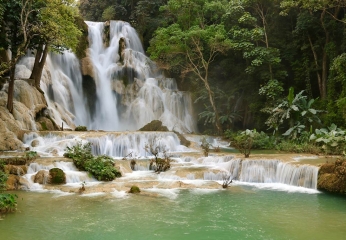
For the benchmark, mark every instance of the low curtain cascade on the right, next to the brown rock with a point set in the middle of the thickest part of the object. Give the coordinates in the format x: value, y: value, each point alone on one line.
x: 274, y: 171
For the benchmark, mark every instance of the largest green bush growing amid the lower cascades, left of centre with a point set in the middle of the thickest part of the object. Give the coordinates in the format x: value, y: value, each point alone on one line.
x: 101, y: 167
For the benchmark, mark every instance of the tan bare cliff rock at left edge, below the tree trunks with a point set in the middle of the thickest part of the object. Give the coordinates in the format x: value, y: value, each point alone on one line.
x: 28, y: 105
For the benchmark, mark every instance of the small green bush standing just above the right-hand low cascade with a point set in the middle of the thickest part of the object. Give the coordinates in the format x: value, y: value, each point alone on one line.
x: 243, y: 142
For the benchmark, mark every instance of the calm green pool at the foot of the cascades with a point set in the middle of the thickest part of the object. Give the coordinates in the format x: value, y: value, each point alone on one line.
x: 241, y: 212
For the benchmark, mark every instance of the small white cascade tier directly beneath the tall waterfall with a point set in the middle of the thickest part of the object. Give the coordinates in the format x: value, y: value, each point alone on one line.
x: 133, y: 144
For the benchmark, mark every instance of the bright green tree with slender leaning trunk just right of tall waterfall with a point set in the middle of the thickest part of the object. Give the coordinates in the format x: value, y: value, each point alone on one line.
x: 192, y: 41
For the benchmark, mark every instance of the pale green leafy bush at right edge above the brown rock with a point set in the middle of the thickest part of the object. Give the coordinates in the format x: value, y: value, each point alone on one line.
x: 332, y: 139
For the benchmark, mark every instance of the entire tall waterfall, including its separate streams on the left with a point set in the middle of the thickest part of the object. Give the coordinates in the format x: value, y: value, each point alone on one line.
x: 127, y: 90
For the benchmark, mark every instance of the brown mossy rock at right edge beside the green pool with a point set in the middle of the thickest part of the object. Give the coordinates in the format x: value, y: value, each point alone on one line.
x: 332, y: 177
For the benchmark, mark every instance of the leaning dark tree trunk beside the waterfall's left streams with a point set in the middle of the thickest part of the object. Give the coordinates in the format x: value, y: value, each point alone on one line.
x: 40, y: 60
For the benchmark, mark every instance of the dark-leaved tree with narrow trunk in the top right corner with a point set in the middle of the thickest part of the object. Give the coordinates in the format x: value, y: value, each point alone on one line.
x: 320, y: 26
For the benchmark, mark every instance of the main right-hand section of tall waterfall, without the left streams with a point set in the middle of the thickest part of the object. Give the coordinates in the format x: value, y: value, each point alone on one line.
x: 130, y: 89
